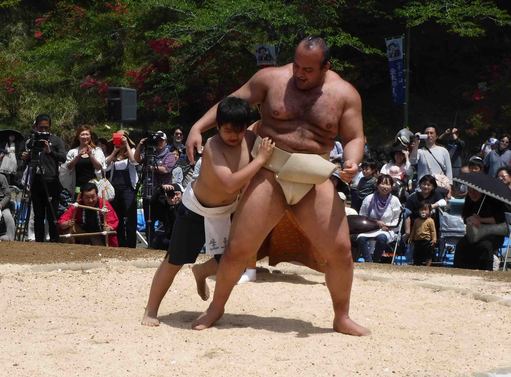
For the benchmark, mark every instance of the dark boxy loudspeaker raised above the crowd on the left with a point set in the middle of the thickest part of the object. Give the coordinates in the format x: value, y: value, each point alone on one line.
x: 122, y: 104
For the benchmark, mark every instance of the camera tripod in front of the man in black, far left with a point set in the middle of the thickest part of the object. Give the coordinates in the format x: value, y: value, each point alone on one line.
x: 22, y: 216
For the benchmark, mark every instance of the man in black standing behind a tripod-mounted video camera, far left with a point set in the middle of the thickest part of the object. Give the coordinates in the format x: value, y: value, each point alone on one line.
x: 44, y: 152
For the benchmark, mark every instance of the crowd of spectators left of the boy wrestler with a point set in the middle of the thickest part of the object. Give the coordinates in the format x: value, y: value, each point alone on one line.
x: 91, y: 192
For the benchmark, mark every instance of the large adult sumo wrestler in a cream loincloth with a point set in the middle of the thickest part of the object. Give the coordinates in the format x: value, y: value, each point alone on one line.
x: 304, y: 106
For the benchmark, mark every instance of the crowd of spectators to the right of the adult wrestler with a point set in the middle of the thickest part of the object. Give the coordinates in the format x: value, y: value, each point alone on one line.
x: 403, y: 193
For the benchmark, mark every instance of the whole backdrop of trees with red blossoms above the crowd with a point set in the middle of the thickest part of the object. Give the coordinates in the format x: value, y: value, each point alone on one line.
x: 182, y: 56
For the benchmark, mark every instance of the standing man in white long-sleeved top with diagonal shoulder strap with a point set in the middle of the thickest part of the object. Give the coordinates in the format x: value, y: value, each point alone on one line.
x: 432, y: 158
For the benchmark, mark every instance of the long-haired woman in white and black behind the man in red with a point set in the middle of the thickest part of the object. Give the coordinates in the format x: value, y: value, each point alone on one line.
x: 84, y: 161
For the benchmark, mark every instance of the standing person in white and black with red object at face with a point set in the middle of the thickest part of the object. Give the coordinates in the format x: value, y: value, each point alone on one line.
x: 121, y: 165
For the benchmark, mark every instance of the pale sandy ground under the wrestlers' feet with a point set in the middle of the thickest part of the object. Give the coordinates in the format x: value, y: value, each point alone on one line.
x: 75, y: 311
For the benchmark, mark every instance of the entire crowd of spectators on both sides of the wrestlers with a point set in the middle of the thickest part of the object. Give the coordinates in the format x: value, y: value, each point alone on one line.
x: 93, y: 192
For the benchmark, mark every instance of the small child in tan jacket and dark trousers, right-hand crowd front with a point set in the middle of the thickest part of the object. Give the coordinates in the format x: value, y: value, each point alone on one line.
x: 423, y: 237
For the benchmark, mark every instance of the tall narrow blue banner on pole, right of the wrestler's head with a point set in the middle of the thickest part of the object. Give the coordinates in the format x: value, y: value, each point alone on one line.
x: 396, y: 68
